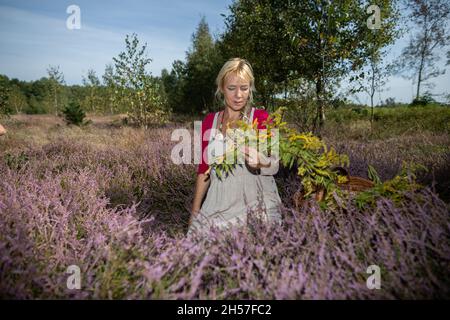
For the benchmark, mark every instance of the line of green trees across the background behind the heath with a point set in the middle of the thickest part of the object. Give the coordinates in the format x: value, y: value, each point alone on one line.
x: 300, y: 52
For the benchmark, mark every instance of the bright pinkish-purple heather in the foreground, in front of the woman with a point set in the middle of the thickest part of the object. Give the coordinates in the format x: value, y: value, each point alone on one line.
x: 313, y: 254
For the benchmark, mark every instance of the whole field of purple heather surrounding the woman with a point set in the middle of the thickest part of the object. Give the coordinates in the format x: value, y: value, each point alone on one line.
x: 117, y: 207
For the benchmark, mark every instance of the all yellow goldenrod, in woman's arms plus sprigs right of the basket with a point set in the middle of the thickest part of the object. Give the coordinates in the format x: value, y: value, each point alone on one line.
x: 314, y: 161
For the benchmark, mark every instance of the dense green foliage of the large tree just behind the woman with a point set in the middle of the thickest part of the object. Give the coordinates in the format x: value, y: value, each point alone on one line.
x: 318, y: 40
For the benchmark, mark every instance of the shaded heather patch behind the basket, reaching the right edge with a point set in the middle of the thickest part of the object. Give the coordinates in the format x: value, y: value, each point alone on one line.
x: 429, y: 150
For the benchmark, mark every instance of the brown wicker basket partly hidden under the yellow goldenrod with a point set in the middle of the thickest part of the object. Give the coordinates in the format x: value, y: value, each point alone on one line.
x: 354, y: 184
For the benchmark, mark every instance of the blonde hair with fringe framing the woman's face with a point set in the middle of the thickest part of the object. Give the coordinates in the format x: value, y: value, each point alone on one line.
x: 244, y: 70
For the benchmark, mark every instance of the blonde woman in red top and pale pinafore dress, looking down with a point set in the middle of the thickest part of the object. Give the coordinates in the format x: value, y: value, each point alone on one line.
x: 250, y: 186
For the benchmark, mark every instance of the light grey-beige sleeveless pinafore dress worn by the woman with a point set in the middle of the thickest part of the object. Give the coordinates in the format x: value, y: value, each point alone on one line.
x: 229, y: 199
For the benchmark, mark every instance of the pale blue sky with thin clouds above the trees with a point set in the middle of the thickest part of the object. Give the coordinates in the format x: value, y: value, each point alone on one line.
x: 33, y: 35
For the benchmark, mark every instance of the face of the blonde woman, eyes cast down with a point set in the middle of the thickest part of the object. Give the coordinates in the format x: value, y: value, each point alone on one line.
x: 236, y: 92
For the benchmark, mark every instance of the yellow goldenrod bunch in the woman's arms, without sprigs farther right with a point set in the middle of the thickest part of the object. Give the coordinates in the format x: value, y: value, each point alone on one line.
x: 310, y: 155
